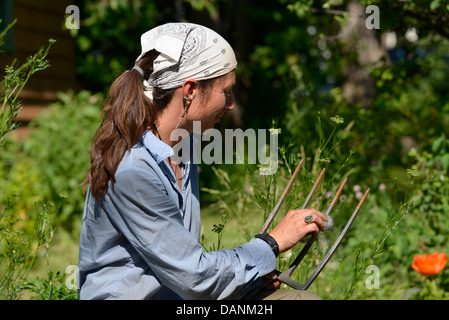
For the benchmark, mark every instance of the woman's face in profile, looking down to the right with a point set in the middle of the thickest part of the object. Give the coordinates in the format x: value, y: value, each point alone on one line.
x: 211, y: 104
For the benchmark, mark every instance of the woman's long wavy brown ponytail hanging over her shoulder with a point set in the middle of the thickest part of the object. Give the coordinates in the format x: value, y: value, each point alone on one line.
x: 128, y: 112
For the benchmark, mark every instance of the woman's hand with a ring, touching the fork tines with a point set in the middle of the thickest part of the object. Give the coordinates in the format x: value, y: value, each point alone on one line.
x: 292, y: 228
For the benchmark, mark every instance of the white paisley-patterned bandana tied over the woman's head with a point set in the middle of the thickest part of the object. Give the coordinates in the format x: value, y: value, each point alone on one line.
x: 187, y: 51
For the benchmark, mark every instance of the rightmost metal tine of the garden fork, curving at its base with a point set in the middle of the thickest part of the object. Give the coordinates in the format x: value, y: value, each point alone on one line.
x: 329, y: 255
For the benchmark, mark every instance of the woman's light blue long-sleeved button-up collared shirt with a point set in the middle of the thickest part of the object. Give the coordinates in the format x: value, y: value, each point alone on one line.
x: 142, y: 240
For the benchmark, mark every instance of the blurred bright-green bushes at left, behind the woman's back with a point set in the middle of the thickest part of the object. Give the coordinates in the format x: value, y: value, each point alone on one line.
x: 40, y: 190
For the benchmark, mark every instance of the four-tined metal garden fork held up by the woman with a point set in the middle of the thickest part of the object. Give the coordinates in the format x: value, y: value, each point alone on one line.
x: 285, y: 276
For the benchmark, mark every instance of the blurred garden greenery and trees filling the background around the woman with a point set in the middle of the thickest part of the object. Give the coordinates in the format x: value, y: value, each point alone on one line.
x: 368, y: 104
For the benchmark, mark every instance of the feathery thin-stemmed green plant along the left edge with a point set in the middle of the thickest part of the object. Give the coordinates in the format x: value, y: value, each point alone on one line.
x: 21, y: 239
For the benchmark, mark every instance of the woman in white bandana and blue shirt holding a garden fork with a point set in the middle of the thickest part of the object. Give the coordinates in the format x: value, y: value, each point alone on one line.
x: 141, y: 224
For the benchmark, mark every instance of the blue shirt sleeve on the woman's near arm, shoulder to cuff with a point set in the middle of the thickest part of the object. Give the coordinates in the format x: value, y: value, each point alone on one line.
x: 142, y: 210
